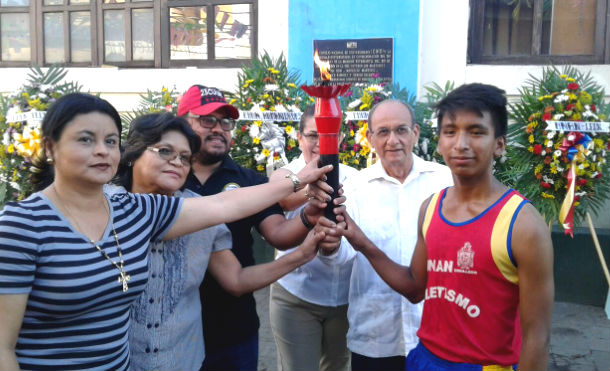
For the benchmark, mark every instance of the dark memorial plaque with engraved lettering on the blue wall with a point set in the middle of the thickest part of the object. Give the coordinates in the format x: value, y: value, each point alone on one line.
x: 356, y: 60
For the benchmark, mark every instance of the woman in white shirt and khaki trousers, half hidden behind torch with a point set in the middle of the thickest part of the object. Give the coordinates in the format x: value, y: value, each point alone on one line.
x: 308, y: 307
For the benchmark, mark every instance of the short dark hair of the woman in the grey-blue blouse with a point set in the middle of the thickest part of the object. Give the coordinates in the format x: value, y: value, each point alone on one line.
x: 146, y: 131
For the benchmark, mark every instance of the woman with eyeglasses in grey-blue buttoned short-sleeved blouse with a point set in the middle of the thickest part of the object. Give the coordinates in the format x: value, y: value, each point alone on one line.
x: 167, y: 333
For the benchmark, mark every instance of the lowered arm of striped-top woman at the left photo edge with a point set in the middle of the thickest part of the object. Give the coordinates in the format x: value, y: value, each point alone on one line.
x: 12, y: 309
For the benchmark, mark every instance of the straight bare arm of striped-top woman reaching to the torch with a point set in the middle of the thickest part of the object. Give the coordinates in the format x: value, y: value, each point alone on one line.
x: 201, y: 212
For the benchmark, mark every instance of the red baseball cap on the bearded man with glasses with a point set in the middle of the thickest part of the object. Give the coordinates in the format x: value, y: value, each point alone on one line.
x: 201, y: 100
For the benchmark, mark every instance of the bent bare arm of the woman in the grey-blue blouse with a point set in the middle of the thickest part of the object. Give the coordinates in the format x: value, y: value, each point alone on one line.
x: 227, y: 270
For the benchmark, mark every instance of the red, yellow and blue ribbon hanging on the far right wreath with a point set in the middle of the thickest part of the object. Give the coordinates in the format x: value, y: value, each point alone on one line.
x: 573, y: 145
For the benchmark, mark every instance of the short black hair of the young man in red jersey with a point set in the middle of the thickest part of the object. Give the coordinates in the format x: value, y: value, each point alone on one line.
x: 477, y: 98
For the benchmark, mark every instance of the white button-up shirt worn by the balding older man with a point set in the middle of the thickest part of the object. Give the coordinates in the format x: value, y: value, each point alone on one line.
x: 382, y: 323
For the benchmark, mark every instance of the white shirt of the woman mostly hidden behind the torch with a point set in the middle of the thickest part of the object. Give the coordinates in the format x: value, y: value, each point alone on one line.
x: 316, y: 282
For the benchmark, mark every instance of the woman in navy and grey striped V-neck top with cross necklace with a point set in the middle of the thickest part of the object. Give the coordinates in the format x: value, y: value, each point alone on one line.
x: 74, y: 259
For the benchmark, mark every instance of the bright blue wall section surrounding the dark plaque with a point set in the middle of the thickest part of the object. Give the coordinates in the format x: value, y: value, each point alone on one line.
x: 346, y: 19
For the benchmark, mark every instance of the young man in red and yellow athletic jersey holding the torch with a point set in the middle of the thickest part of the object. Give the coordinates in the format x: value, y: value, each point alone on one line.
x: 483, y: 259
